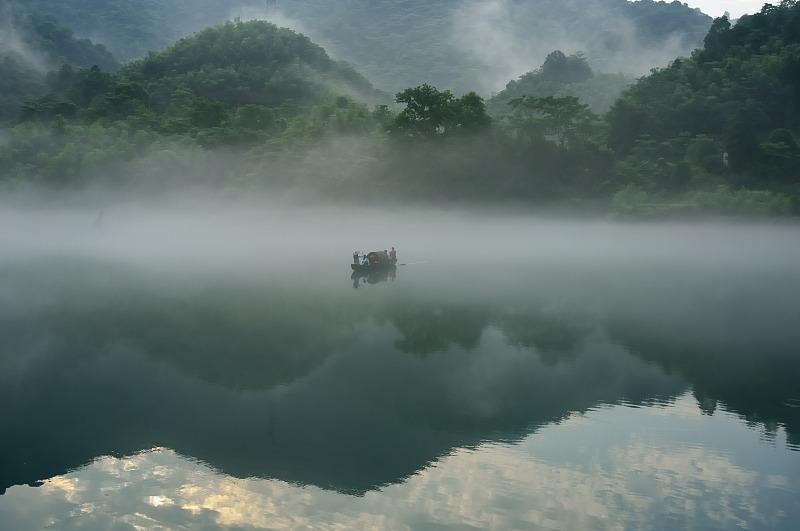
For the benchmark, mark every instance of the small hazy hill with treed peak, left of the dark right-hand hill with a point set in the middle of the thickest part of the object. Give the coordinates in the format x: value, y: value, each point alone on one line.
x: 562, y: 75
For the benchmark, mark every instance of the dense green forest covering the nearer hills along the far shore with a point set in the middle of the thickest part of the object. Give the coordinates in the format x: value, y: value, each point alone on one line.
x: 247, y: 104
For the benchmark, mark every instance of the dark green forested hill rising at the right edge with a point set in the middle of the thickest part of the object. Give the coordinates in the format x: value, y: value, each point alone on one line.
x: 739, y: 95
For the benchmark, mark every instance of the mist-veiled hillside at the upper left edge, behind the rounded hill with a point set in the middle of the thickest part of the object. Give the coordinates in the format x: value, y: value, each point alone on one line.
x: 30, y: 46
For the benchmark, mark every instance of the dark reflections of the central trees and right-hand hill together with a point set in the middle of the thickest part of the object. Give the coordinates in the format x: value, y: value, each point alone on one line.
x: 746, y: 363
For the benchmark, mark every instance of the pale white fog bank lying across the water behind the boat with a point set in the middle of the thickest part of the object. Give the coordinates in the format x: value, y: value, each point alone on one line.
x: 200, y: 232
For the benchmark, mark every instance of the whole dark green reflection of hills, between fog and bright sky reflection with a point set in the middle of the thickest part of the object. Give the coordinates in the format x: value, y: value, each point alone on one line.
x: 346, y: 390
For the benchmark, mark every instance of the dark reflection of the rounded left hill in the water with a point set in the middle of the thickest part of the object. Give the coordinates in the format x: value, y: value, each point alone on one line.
x: 237, y: 335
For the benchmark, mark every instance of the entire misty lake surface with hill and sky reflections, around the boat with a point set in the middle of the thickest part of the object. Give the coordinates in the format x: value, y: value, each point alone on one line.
x: 198, y: 368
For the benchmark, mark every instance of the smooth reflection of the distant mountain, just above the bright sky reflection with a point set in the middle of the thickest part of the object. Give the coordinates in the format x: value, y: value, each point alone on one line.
x: 353, y: 424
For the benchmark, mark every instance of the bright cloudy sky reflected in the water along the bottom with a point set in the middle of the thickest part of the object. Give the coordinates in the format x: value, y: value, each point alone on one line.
x: 615, y: 467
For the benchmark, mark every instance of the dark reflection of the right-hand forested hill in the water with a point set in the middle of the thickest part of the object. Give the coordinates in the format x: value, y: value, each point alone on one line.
x: 738, y: 353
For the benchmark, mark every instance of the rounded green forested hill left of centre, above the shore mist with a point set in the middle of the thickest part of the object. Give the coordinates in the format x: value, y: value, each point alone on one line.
x: 237, y: 83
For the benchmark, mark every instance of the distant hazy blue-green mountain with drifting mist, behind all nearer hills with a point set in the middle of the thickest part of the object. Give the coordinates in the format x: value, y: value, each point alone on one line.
x: 459, y: 44
